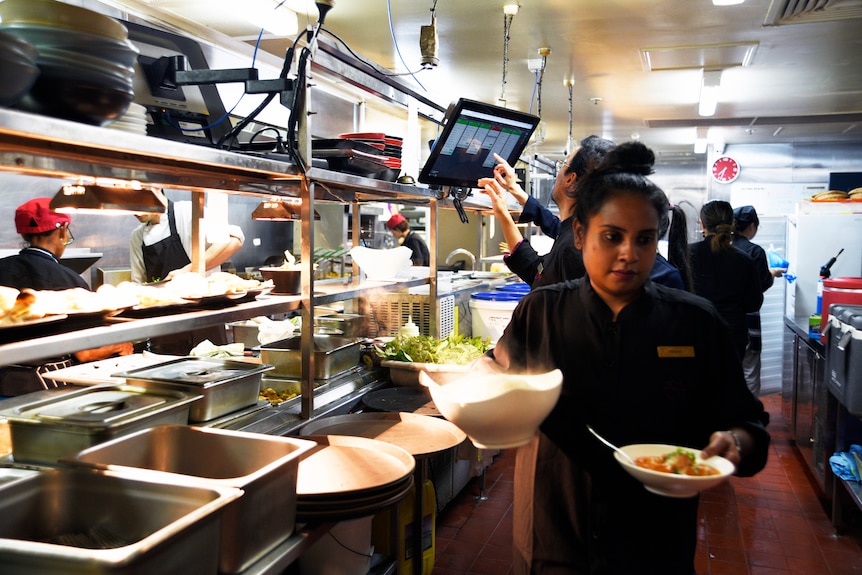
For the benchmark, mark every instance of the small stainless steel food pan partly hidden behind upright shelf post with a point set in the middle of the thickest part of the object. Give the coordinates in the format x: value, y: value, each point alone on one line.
x: 332, y: 356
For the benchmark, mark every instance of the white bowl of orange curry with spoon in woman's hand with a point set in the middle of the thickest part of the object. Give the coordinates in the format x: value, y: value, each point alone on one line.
x: 674, y: 471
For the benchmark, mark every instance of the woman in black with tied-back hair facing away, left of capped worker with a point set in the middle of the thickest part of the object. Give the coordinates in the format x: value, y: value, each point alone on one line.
x: 723, y: 274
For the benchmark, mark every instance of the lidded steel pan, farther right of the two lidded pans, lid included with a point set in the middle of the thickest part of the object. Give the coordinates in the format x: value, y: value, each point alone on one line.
x: 225, y: 385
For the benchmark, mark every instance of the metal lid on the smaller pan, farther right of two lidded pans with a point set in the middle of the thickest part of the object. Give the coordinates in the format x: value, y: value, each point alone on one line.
x: 198, y: 371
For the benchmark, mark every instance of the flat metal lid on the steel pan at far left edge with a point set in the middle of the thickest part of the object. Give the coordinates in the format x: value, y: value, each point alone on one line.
x: 99, y: 406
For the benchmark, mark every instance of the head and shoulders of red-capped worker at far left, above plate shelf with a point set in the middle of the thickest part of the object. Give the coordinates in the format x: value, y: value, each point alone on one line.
x: 46, y: 234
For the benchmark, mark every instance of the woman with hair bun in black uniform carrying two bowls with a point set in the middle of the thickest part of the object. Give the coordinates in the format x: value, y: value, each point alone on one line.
x: 641, y: 363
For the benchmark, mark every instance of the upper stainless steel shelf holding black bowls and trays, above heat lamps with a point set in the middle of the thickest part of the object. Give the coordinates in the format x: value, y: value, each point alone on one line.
x: 44, y: 146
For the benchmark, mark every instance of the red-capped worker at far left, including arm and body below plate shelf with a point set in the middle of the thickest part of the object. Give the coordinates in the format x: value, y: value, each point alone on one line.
x: 38, y: 267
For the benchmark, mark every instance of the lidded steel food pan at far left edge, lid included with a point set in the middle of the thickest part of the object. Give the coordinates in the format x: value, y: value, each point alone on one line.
x: 57, y: 424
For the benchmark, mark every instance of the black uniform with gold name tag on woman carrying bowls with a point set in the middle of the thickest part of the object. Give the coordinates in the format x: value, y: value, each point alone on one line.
x: 664, y: 372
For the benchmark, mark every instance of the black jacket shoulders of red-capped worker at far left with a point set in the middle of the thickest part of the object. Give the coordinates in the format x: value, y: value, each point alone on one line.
x: 38, y: 269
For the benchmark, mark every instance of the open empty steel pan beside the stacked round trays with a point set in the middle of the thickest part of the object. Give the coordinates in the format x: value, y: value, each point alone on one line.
x: 263, y: 466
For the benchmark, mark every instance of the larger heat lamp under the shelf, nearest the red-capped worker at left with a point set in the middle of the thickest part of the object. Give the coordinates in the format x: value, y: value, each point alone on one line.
x: 107, y: 197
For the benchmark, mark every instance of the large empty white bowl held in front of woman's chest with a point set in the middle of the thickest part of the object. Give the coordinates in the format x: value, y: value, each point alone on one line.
x: 496, y: 411
